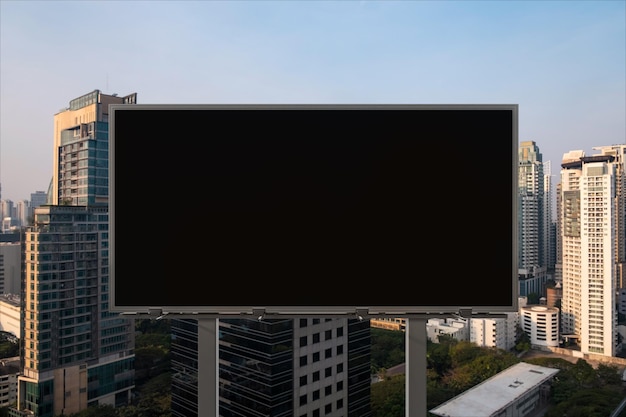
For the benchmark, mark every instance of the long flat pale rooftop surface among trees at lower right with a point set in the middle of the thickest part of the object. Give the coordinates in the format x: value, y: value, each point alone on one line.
x: 496, y: 393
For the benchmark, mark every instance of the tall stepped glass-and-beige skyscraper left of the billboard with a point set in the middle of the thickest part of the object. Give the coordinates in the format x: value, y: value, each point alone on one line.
x: 75, y: 352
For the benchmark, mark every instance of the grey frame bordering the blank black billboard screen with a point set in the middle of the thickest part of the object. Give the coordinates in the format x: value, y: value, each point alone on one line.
x: 269, y: 311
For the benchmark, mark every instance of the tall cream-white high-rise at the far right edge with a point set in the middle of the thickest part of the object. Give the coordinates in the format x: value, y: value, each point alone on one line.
x: 592, y: 246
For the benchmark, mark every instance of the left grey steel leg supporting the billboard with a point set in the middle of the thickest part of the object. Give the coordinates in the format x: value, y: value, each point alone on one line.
x: 208, y: 401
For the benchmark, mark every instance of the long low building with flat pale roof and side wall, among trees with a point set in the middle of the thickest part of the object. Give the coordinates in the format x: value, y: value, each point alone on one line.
x: 518, y: 391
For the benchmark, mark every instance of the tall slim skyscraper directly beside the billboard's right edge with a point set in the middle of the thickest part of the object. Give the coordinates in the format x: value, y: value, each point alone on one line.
x: 533, y: 231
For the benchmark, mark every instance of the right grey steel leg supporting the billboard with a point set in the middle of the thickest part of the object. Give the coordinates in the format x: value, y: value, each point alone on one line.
x: 415, y: 353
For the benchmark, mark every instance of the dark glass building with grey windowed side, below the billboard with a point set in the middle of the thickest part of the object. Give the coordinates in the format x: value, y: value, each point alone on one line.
x: 278, y: 367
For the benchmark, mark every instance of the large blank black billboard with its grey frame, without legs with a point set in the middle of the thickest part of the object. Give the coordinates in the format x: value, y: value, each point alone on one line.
x: 313, y: 209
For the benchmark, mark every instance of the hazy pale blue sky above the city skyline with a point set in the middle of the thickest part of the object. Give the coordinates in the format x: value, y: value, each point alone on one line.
x: 562, y: 62
